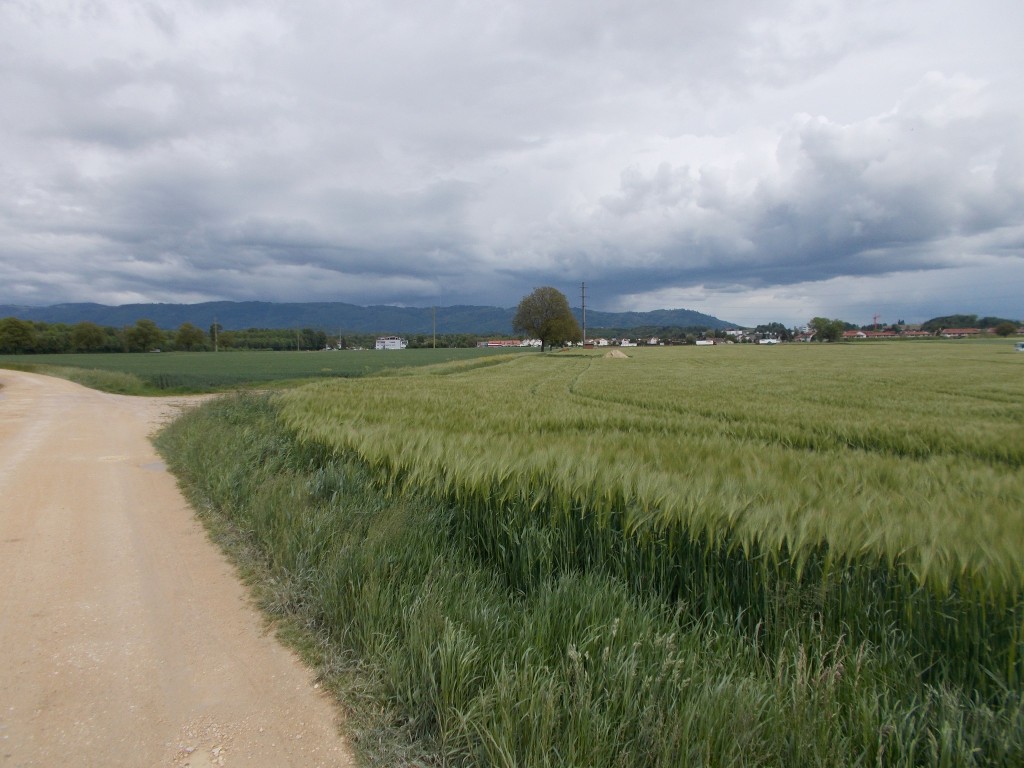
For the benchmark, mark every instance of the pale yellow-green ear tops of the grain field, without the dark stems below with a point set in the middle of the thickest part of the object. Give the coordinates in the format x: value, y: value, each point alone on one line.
x: 913, y: 456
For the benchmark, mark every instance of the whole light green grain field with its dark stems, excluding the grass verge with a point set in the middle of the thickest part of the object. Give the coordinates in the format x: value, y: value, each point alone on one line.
x: 885, y: 478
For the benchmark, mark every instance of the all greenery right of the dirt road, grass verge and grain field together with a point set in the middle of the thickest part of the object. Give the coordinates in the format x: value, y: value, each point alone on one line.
x: 738, y: 557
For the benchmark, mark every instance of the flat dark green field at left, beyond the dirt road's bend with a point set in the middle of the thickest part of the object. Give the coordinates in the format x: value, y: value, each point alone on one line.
x: 185, y: 372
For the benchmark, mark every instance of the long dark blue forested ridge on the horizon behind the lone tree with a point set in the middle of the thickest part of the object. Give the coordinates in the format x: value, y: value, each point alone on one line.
x: 337, y: 317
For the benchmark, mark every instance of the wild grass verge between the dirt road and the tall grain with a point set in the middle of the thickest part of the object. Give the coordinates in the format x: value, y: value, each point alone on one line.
x: 439, y: 662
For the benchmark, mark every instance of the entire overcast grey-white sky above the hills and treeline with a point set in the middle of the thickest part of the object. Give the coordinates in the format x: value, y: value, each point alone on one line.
x: 756, y: 160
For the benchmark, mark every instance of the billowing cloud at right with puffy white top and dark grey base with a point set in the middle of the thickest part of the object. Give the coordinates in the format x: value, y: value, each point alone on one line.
x: 903, y: 192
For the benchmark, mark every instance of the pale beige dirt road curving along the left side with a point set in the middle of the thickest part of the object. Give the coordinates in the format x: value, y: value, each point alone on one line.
x: 125, y: 636
